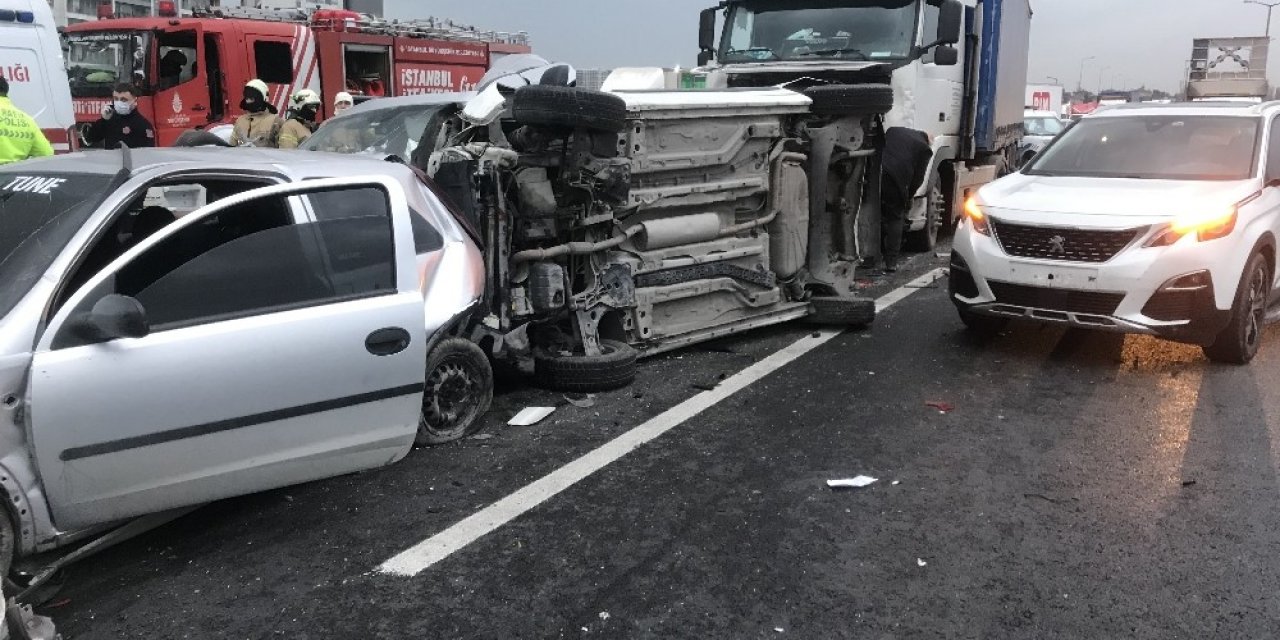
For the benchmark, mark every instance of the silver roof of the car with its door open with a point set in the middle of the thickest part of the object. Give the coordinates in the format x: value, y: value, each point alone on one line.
x: 179, y: 159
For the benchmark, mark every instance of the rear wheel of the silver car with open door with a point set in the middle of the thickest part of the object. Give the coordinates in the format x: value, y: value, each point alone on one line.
x: 459, y: 392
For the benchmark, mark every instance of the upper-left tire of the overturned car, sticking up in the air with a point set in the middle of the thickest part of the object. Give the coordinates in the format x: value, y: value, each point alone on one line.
x: 570, y: 108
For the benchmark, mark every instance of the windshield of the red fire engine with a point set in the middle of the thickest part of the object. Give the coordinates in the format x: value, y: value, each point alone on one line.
x: 99, y: 61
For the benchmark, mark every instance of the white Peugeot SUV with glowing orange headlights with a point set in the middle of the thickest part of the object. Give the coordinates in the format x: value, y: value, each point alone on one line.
x: 1141, y: 220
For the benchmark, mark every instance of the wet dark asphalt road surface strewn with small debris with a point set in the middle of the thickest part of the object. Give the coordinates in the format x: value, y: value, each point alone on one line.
x: 1084, y: 486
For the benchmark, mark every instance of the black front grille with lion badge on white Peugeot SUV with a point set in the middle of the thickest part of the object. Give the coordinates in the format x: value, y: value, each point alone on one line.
x: 1062, y: 244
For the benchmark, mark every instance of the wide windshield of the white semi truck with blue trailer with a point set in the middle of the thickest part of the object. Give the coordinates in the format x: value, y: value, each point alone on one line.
x: 816, y: 30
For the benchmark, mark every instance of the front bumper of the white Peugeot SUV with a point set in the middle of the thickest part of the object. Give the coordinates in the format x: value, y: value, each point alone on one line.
x: 1131, y: 294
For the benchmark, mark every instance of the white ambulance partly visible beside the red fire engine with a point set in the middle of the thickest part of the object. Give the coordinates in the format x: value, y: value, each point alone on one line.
x: 31, y: 60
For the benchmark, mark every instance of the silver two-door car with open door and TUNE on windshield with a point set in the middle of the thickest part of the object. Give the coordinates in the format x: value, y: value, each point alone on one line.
x: 303, y: 324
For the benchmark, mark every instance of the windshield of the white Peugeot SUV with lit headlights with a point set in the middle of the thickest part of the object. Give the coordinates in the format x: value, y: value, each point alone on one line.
x: 1181, y: 148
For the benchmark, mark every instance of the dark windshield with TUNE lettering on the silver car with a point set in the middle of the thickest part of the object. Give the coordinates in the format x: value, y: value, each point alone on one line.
x: 40, y: 213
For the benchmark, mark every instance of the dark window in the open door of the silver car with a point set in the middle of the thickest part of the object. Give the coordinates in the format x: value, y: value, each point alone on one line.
x: 253, y: 259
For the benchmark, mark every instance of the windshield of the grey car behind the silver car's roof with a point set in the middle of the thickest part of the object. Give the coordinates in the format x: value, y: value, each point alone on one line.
x: 380, y: 131
